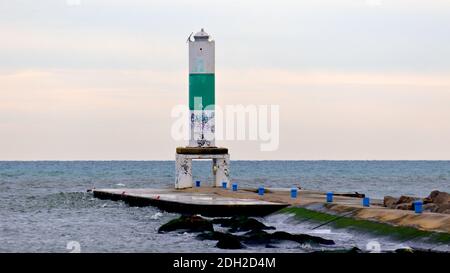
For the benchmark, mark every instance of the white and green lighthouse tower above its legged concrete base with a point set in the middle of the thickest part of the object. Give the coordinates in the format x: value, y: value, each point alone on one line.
x: 201, y: 90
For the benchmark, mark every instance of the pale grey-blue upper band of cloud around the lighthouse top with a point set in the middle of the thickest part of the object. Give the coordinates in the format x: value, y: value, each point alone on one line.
x: 400, y: 36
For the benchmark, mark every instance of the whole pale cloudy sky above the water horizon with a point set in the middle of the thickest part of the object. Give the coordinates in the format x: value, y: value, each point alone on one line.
x: 97, y: 80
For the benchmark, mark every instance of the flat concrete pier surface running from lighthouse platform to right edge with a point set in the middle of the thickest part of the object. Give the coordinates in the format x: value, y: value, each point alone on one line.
x: 214, y: 201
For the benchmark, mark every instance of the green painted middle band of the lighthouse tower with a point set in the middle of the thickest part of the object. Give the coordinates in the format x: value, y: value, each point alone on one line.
x: 201, y: 86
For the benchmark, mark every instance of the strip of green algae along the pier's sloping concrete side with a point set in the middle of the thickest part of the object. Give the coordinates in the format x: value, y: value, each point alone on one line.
x: 402, y: 233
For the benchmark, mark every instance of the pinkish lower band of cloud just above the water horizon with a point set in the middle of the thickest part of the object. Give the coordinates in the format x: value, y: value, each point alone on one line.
x: 122, y: 114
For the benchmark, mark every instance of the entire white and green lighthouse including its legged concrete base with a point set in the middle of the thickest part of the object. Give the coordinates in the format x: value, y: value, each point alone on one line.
x: 201, y: 117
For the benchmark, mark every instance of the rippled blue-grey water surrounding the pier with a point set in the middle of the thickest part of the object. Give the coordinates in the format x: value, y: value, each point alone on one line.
x: 44, y: 205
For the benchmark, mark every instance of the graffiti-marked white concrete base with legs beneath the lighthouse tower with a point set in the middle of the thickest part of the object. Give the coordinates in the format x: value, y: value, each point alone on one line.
x: 183, y: 165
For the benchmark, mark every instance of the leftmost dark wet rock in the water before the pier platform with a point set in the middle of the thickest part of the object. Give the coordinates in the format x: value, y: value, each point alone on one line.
x: 188, y: 223
